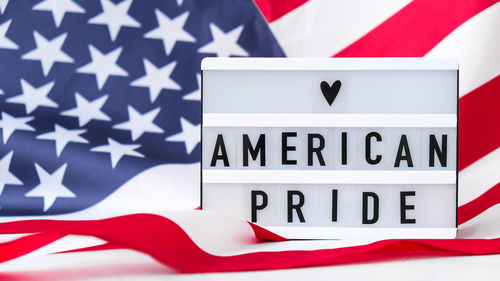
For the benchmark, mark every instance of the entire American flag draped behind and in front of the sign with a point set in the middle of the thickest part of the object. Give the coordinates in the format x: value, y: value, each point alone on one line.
x: 100, y: 117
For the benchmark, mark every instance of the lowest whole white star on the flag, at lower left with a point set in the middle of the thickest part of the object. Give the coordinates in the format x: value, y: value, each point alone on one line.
x: 50, y: 187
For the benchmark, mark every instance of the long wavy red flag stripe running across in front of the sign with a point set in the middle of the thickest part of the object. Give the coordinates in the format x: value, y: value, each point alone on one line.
x: 165, y: 241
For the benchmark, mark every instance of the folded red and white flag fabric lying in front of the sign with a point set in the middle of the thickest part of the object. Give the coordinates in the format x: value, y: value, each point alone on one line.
x: 171, y: 239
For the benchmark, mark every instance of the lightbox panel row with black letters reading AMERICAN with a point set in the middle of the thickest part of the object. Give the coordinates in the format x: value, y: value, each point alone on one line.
x: 341, y: 148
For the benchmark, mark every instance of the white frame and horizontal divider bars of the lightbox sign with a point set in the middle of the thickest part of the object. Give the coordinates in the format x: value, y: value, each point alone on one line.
x: 340, y: 120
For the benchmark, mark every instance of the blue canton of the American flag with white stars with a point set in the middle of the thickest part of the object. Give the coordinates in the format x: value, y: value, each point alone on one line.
x: 90, y: 100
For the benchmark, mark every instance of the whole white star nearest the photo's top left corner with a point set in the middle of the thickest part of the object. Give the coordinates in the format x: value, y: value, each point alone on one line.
x: 48, y: 52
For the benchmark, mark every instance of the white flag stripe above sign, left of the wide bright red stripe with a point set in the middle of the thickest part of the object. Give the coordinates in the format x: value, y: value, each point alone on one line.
x: 321, y: 28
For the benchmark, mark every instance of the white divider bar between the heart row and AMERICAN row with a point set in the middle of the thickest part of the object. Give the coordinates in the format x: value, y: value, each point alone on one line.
x: 330, y: 120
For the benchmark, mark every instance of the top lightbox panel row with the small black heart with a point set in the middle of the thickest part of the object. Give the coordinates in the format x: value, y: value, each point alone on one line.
x: 388, y: 91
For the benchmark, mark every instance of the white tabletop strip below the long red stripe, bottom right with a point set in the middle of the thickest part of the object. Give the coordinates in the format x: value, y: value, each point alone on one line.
x: 454, y: 268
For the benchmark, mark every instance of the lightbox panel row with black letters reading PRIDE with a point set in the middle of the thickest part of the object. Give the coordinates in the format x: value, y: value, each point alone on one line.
x: 336, y: 205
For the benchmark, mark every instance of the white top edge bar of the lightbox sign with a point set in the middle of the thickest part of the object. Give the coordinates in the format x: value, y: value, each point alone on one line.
x: 328, y: 64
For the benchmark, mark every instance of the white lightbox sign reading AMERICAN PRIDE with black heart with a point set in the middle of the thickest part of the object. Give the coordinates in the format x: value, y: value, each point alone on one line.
x: 332, y: 148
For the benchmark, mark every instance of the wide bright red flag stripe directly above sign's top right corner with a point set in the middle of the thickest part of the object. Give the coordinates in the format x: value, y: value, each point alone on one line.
x: 415, y: 29
